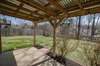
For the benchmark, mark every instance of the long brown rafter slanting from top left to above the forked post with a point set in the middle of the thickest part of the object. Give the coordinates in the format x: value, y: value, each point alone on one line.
x: 38, y: 6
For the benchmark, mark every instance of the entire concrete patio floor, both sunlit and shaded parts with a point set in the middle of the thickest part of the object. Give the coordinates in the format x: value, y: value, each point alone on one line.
x: 31, y: 57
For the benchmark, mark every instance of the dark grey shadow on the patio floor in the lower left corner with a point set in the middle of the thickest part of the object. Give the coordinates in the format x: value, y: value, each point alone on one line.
x: 7, y: 59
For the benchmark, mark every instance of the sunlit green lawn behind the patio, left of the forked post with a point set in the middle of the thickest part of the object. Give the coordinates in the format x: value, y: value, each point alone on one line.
x: 10, y: 43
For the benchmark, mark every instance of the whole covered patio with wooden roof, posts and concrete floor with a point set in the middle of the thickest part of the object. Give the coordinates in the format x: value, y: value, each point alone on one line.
x: 38, y: 11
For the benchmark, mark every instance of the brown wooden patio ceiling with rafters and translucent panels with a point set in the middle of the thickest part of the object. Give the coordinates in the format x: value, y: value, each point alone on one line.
x: 38, y: 10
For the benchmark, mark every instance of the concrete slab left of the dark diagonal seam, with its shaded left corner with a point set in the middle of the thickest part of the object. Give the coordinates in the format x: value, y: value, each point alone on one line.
x: 23, y: 57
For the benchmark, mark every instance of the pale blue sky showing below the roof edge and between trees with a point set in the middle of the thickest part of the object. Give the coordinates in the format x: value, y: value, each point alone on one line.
x: 18, y: 21
